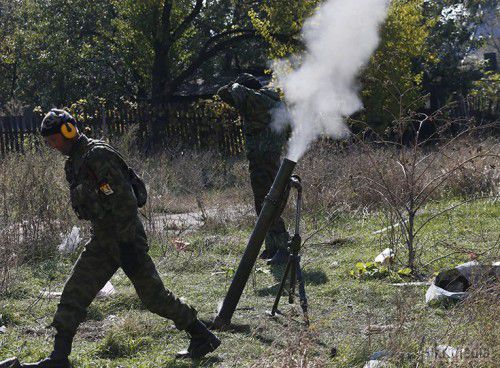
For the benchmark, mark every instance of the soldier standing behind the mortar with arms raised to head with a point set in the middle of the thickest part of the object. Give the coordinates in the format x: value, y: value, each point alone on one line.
x: 264, y: 146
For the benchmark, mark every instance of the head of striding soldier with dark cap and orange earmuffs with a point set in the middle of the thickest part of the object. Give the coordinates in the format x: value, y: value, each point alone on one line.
x: 59, y: 130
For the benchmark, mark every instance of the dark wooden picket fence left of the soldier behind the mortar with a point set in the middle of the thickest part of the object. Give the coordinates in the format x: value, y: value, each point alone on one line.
x: 172, y: 127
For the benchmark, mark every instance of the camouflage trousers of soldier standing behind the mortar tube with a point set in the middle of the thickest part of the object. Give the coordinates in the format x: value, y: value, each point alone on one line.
x: 263, y: 169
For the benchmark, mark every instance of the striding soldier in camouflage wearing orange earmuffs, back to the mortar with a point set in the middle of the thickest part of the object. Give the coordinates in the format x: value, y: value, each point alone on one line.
x: 104, y: 191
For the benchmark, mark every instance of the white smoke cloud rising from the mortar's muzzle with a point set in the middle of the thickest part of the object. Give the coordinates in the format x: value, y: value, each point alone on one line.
x: 340, y: 39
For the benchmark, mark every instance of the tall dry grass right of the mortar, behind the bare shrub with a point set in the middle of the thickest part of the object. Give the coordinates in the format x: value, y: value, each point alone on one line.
x: 337, y: 175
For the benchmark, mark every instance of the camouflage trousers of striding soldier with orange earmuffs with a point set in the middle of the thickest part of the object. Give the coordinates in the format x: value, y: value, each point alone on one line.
x: 102, y: 257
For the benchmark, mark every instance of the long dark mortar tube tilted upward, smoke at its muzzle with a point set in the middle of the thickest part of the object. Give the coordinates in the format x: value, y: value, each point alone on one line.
x: 271, y: 205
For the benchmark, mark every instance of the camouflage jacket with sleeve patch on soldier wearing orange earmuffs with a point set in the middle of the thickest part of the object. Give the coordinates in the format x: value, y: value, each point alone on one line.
x: 100, y: 189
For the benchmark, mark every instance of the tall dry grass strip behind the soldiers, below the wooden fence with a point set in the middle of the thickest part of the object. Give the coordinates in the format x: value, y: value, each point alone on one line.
x: 35, y: 210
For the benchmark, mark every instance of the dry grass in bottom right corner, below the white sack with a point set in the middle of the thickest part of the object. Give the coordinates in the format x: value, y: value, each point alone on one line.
x: 471, y: 333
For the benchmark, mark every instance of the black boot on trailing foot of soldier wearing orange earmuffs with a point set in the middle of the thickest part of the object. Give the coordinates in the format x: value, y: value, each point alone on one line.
x: 203, y: 341
